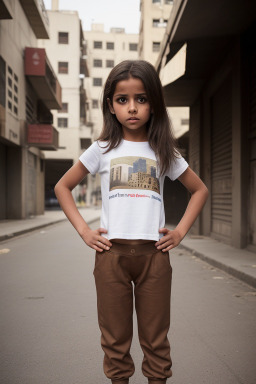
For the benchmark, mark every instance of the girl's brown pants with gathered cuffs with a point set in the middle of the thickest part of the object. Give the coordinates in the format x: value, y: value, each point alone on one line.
x: 150, y: 271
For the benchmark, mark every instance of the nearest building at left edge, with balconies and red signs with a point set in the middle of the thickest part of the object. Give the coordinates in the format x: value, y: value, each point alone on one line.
x: 29, y: 89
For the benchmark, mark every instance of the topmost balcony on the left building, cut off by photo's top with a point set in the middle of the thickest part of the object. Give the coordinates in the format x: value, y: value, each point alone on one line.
x: 37, y: 17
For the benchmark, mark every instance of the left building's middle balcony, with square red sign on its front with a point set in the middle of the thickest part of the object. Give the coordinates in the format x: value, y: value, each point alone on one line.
x: 42, y: 77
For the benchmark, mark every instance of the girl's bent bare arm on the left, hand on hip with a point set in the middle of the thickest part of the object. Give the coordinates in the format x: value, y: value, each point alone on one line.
x: 63, y: 193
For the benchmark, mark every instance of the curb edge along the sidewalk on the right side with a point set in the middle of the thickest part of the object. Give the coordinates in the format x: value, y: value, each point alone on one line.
x: 250, y: 280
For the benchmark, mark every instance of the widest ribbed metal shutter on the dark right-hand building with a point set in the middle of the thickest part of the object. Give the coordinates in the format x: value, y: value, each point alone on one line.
x: 221, y: 162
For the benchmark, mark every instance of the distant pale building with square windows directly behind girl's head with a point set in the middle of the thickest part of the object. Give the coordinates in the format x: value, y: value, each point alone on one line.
x: 104, y: 51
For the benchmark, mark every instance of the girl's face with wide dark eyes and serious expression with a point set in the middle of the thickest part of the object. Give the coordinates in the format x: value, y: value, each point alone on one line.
x: 131, y: 107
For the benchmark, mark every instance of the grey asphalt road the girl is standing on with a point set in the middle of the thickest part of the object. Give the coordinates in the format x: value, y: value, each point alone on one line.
x: 48, y: 318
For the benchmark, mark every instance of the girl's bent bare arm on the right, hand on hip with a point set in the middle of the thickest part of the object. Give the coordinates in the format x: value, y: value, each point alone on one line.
x: 199, y: 194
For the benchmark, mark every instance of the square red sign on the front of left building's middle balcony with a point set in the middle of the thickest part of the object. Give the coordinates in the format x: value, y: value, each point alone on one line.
x: 35, y: 61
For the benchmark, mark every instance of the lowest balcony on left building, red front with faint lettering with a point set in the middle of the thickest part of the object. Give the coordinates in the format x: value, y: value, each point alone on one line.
x: 43, y: 136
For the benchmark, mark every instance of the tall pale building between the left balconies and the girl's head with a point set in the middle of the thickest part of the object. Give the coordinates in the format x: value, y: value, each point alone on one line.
x: 67, y: 52
